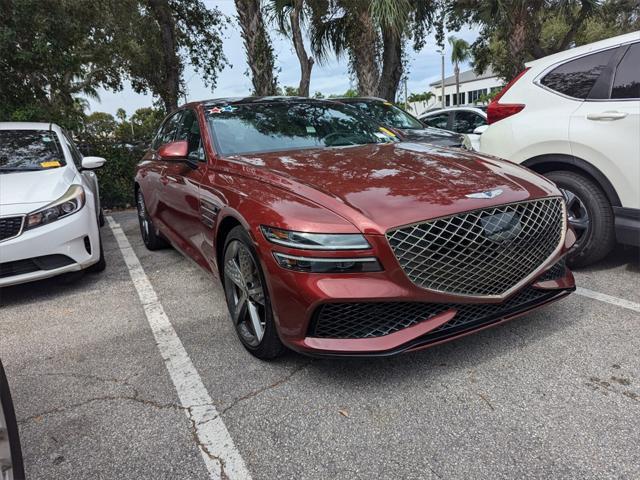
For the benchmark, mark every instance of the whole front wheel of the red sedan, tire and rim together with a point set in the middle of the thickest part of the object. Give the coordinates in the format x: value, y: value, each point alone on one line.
x: 248, y: 298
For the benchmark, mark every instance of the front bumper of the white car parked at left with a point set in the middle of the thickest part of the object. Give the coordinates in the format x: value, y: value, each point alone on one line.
x: 75, y: 242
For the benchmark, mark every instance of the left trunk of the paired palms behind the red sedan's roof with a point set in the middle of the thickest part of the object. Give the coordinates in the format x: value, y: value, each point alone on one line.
x: 363, y: 55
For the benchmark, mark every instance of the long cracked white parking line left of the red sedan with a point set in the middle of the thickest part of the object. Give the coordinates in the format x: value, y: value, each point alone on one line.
x: 220, y: 455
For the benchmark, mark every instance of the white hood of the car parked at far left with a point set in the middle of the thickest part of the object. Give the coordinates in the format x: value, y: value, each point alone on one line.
x: 41, y: 186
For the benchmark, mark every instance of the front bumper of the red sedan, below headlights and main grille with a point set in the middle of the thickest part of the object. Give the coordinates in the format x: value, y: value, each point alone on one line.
x: 429, y: 317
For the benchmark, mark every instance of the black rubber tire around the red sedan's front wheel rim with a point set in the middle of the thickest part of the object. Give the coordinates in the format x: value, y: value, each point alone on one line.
x: 269, y: 346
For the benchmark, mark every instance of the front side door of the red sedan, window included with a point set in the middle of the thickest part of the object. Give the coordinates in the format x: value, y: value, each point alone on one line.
x: 181, y: 190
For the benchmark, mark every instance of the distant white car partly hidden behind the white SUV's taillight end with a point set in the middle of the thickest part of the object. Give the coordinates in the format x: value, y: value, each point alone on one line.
x: 469, y: 121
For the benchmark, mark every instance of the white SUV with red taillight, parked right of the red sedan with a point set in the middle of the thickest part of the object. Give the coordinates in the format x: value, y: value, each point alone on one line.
x: 575, y: 117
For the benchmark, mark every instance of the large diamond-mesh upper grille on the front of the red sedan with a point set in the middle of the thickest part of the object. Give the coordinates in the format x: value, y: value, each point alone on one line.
x: 485, y: 252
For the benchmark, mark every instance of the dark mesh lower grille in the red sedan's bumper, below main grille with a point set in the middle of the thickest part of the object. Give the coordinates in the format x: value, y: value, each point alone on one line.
x: 374, y: 319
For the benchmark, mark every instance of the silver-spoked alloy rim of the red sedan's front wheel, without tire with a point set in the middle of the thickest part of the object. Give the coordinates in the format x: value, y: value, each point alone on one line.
x: 245, y: 293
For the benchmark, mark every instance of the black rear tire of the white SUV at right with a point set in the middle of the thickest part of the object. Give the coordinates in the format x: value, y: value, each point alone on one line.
x: 597, y: 239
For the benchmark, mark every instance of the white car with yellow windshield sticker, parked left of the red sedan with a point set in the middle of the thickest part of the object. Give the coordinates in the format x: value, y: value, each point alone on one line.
x: 49, y: 204
